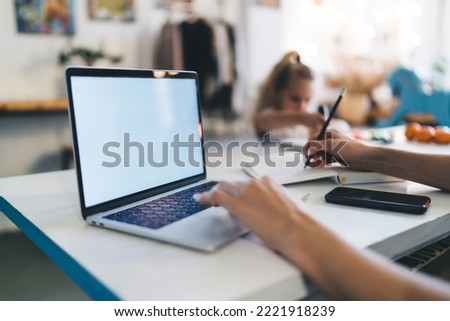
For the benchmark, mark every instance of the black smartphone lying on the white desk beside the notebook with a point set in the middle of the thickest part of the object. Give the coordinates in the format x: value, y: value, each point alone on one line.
x: 388, y: 201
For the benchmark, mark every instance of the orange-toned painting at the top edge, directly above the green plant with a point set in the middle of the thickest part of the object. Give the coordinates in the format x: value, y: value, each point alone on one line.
x: 111, y: 10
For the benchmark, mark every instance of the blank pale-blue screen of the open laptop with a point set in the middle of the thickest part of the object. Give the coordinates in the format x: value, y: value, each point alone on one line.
x: 126, y: 129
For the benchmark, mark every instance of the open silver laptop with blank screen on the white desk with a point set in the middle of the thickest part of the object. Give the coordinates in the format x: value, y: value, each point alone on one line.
x: 139, y: 156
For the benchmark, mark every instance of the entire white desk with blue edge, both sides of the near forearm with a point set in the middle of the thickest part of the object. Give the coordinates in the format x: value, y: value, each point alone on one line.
x: 111, y: 265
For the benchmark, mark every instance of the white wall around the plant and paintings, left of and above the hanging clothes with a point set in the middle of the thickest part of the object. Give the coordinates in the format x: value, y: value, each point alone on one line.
x: 28, y: 62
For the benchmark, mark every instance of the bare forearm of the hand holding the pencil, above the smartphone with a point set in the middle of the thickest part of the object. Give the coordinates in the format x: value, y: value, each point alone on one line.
x: 433, y: 170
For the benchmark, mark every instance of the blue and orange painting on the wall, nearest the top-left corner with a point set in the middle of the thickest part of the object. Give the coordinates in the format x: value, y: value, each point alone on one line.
x: 45, y: 16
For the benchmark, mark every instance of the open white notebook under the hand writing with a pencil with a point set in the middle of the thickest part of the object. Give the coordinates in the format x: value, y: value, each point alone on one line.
x: 288, y: 168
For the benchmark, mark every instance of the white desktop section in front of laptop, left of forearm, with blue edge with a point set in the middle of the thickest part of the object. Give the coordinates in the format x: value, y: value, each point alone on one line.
x: 110, y: 265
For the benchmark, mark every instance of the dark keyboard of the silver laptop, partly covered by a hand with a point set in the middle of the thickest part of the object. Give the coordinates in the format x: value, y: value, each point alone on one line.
x: 165, y: 210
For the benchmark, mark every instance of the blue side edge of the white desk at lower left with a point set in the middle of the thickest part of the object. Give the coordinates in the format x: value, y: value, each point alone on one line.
x: 85, y: 280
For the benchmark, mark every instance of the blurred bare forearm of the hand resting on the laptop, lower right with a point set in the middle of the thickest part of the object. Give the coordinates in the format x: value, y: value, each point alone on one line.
x: 344, y: 272
